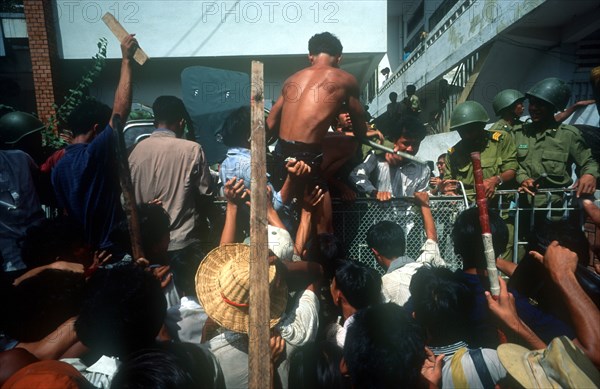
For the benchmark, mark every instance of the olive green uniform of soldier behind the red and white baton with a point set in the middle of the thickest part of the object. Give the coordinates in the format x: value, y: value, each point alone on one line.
x: 498, y: 156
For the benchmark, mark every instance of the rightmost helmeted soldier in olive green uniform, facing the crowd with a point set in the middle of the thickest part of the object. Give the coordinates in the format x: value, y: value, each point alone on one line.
x: 546, y: 149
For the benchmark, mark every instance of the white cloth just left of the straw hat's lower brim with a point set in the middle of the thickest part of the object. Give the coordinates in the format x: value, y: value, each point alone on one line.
x: 186, y: 321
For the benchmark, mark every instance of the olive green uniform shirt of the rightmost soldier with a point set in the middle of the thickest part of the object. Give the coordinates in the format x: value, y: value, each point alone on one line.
x: 552, y: 151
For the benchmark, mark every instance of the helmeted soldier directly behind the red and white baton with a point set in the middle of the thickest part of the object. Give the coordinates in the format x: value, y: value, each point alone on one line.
x: 498, y: 153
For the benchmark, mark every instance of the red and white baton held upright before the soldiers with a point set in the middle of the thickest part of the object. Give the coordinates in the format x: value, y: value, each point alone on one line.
x: 484, y: 220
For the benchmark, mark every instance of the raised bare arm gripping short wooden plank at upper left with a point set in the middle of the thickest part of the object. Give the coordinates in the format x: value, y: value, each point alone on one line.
x: 122, y: 103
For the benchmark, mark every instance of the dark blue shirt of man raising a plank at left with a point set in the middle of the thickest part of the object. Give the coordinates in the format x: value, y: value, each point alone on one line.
x: 86, y: 184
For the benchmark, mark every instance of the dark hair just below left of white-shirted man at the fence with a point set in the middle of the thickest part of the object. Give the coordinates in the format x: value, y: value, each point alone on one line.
x: 360, y: 284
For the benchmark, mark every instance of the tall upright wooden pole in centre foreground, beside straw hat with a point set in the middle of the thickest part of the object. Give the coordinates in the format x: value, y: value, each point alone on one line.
x: 259, y: 357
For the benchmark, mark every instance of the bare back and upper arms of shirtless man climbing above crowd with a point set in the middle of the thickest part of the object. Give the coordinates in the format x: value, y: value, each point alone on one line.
x: 311, y: 98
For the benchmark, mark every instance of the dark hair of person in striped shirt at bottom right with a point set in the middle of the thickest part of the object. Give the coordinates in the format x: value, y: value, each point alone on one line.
x: 442, y: 304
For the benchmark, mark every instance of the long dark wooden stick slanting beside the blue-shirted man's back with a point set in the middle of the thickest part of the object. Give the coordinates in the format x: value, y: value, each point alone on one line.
x: 129, y: 203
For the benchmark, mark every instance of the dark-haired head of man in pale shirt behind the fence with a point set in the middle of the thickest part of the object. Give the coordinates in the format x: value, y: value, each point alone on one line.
x: 407, y: 136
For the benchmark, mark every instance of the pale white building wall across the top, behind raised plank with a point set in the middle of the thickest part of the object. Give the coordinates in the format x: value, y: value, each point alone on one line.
x: 222, y: 28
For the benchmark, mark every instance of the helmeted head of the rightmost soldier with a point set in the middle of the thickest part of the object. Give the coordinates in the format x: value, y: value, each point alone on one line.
x: 547, y: 97
